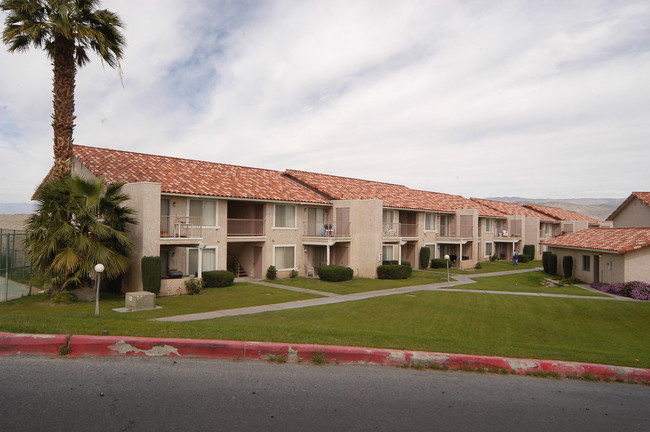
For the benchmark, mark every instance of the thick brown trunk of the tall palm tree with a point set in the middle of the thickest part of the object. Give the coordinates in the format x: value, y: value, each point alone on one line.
x: 63, y: 100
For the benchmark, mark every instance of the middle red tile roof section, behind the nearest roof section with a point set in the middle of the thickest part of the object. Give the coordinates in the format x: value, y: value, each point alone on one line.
x: 392, y: 195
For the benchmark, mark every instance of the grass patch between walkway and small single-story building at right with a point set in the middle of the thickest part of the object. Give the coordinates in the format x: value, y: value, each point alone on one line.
x: 527, y: 282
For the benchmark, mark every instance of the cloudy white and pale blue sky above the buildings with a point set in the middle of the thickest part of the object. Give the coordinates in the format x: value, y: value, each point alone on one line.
x: 541, y: 99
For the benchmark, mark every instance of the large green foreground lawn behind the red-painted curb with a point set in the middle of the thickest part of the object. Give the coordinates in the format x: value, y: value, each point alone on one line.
x: 586, y: 330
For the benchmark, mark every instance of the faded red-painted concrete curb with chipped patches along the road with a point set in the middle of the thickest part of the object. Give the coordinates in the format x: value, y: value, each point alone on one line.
x: 272, y: 351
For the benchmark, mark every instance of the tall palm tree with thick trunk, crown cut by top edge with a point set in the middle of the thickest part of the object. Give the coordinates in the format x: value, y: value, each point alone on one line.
x: 66, y: 30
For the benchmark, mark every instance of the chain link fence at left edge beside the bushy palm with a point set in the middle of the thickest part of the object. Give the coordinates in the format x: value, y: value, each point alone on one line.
x: 15, y: 268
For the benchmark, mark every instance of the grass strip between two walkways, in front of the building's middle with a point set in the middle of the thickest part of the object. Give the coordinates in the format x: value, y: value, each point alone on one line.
x: 362, y: 284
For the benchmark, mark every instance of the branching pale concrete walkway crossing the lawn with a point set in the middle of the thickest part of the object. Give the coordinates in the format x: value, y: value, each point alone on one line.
x: 329, y: 298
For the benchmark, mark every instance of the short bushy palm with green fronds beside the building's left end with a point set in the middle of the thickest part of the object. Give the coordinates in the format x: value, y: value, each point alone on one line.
x: 79, y: 223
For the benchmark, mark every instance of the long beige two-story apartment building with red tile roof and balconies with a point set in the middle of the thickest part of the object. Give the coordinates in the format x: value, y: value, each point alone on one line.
x: 199, y: 216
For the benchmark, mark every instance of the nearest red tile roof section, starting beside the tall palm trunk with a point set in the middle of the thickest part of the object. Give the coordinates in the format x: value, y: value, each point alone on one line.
x: 184, y: 176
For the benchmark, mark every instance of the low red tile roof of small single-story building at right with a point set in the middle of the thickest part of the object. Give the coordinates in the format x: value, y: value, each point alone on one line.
x: 619, y: 240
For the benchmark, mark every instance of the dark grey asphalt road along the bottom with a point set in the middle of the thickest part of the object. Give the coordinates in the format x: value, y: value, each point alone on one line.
x: 165, y: 394
